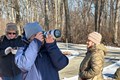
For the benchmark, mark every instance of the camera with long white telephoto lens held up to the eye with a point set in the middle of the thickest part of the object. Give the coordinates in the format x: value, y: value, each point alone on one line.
x: 56, y: 33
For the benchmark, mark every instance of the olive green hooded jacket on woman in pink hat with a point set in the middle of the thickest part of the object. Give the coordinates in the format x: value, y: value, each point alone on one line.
x: 92, y: 65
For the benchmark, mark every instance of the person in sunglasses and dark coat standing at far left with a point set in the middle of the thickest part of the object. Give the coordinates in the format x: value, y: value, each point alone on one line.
x: 8, y: 47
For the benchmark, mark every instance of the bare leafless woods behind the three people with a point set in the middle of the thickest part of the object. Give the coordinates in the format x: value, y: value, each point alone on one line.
x: 75, y: 18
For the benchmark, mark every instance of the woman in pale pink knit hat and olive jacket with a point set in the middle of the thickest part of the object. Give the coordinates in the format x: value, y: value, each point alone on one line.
x: 92, y: 65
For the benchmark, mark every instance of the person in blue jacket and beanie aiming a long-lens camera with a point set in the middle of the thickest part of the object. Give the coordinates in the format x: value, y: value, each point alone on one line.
x: 40, y: 59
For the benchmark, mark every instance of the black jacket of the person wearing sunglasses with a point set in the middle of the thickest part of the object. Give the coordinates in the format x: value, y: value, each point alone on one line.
x: 7, y: 62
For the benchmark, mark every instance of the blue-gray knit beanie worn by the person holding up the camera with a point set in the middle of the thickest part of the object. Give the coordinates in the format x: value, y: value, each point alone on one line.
x: 31, y: 29
